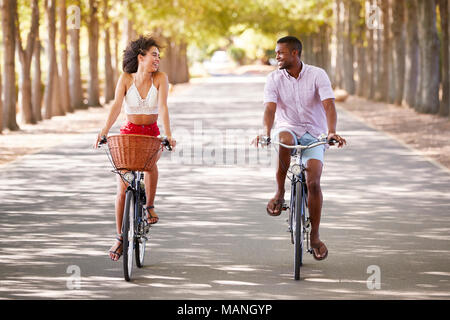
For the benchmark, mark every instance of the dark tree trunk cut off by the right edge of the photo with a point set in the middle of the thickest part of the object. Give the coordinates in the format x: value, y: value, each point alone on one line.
x: 444, y: 109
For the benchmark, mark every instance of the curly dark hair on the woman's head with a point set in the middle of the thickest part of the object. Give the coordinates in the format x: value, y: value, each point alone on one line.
x: 140, y: 46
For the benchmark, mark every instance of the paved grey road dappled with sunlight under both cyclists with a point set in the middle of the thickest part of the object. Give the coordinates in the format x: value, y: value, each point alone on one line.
x: 385, y: 206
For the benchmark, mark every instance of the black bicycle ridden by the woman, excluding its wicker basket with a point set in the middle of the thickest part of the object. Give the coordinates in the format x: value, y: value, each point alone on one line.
x: 135, y: 228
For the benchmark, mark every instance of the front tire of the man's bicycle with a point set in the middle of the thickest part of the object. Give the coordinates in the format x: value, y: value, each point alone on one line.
x: 298, y: 230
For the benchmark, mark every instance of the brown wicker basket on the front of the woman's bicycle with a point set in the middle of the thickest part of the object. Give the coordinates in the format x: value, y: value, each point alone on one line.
x: 134, y: 152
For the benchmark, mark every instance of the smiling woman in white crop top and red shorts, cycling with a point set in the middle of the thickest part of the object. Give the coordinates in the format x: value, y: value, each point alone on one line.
x: 142, y: 90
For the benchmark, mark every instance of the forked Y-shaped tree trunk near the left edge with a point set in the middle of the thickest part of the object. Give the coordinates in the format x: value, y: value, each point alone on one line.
x: 25, y: 56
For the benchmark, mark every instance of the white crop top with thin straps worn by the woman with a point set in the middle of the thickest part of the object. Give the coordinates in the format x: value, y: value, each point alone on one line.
x: 134, y: 104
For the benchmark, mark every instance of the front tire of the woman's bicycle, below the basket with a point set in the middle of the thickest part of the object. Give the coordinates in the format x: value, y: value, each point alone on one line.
x: 128, y: 235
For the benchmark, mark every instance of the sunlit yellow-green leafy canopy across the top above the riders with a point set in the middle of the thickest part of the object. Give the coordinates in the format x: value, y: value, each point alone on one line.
x: 208, y: 24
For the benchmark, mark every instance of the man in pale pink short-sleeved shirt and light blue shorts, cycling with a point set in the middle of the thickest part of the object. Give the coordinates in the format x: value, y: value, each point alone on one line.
x: 301, y: 99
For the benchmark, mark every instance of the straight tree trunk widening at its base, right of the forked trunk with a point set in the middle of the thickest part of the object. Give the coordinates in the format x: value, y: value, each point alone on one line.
x: 51, y: 101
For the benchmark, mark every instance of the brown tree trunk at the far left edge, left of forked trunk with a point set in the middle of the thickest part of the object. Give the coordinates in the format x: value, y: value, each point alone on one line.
x: 9, y: 11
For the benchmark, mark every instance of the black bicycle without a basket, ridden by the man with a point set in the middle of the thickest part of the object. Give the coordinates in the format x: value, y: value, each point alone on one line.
x: 299, y: 224
